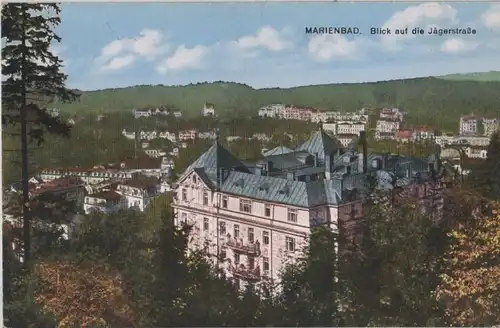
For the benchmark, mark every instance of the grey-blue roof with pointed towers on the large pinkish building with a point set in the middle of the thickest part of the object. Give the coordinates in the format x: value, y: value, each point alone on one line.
x: 238, y: 179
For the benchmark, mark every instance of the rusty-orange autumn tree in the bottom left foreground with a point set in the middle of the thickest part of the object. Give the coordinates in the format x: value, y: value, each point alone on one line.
x: 84, y: 294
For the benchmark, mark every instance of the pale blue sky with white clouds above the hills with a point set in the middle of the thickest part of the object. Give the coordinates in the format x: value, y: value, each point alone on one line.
x: 111, y: 45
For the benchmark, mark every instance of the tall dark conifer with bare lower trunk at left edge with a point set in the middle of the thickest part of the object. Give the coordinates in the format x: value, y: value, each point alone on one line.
x: 33, y: 77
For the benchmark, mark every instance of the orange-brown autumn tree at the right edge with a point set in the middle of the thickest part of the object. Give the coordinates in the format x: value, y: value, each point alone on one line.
x: 470, y: 288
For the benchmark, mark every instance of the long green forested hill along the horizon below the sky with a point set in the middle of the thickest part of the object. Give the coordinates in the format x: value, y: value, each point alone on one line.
x: 426, y: 100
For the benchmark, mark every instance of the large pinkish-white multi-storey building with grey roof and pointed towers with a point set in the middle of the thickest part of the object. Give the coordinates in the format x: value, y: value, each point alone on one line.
x: 257, y: 217
